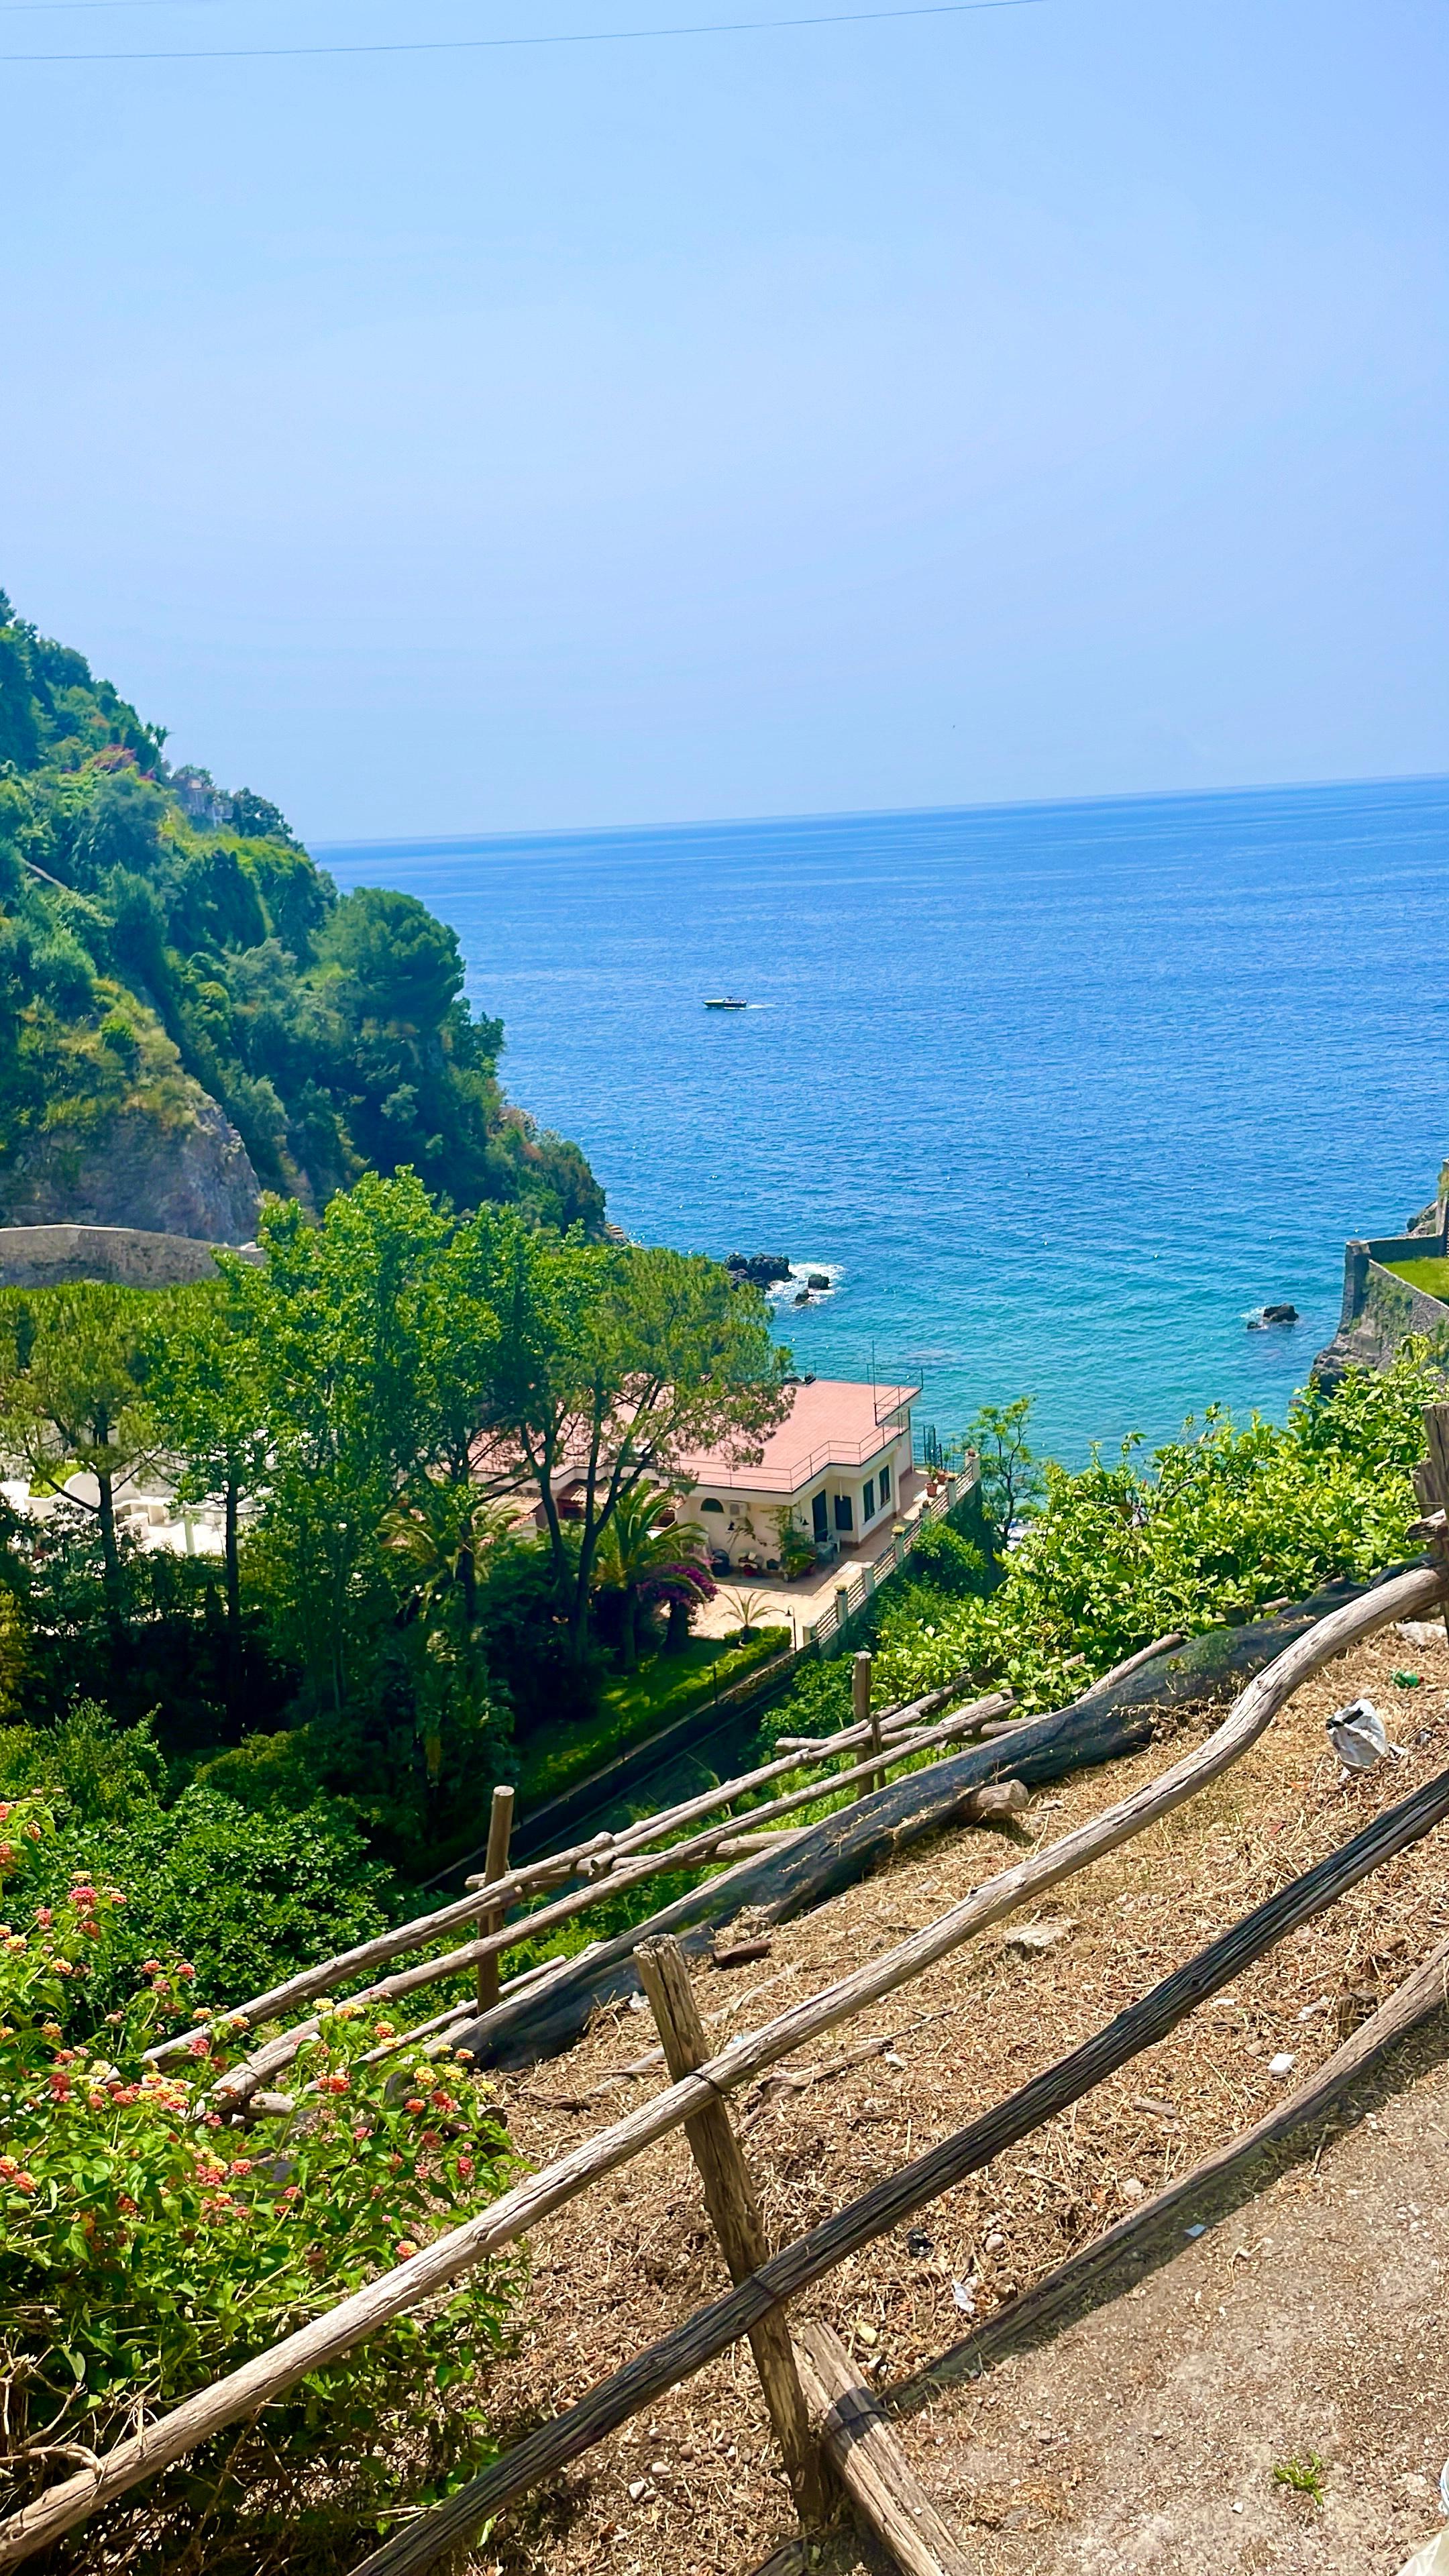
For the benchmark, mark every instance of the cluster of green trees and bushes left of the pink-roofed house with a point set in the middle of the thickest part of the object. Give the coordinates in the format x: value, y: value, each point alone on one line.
x: 385, y: 1627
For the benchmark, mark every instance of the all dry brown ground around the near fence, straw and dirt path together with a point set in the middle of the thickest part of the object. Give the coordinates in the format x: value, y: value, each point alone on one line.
x: 1131, y: 2438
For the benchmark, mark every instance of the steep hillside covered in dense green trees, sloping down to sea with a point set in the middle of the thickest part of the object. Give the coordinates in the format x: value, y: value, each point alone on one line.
x: 164, y: 944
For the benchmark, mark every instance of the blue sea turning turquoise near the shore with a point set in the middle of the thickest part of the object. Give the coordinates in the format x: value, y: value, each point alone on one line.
x: 1056, y: 1094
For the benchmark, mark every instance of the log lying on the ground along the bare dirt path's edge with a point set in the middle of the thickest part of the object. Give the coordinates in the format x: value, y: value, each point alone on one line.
x: 1097, y: 2271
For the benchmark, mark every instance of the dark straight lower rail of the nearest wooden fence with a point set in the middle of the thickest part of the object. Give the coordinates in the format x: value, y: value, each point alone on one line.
x: 811, y: 2258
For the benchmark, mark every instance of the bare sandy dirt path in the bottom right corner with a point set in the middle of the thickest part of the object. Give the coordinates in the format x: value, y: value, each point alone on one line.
x: 1308, y: 2322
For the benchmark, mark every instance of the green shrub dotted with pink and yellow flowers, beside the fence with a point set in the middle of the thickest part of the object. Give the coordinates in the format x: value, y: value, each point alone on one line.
x: 148, y: 2250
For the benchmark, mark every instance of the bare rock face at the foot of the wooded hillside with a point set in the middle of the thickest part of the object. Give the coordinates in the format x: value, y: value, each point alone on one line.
x: 184, y: 1176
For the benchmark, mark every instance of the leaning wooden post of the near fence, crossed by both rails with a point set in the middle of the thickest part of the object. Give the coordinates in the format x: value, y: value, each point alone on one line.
x: 736, y: 2214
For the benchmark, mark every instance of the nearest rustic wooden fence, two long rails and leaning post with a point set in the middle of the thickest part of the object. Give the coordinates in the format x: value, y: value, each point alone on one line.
x: 697, y: 2098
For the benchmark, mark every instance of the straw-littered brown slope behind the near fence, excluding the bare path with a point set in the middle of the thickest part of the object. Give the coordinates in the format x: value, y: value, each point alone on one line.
x: 695, y: 2487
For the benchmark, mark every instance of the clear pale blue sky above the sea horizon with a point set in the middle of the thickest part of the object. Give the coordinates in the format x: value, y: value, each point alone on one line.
x: 1002, y: 406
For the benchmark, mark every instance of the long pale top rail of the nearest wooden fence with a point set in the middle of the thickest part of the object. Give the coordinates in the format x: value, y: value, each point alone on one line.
x: 527, y: 2204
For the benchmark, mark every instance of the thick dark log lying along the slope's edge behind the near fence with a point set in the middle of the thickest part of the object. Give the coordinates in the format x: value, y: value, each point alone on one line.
x: 844, y: 1848
